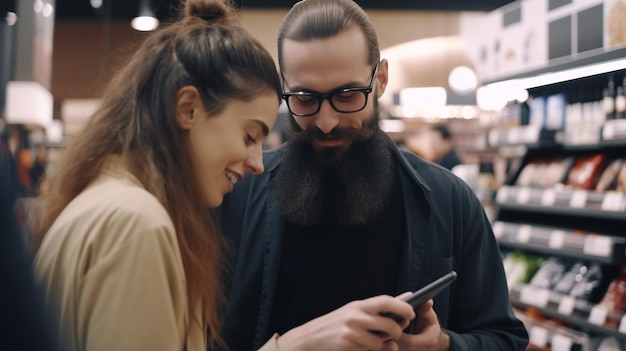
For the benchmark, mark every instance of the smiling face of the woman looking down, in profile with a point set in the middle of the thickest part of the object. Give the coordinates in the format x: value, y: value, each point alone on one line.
x: 227, y: 145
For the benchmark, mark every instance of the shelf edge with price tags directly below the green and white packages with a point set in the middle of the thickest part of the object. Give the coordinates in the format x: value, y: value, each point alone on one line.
x: 576, y: 312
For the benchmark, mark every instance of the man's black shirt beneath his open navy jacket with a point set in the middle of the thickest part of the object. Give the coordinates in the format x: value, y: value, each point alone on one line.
x: 355, y: 262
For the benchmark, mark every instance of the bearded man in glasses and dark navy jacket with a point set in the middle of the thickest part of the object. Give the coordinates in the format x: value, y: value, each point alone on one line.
x: 341, y: 214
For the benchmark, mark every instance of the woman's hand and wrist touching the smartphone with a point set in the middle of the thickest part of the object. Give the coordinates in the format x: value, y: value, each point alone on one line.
x: 358, y: 325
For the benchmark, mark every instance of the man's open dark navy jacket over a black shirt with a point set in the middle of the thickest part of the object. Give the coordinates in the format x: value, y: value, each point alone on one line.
x: 446, y: 230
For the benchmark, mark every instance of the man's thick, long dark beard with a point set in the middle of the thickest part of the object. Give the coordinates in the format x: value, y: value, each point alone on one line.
x: 338, y: 187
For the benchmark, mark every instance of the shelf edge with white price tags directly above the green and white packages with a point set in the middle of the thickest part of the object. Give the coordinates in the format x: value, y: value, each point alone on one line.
x: 553, y: 241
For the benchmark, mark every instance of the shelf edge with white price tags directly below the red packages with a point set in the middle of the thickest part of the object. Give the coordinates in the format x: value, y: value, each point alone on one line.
x: 565, y: 201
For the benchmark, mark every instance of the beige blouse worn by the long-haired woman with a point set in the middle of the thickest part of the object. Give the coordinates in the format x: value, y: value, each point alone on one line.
x: 112, y: 274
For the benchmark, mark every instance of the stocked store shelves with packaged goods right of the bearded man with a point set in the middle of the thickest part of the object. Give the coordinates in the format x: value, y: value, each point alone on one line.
x: 576, y: 187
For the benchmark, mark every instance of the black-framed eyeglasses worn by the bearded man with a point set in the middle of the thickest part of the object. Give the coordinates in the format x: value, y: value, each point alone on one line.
x: 343, y: 100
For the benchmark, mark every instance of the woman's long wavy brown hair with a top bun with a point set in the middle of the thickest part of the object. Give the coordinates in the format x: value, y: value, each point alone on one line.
x: 204, y: 48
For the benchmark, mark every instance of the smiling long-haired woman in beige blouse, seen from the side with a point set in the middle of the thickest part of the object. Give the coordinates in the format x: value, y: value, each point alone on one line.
x: 127, y: 253
